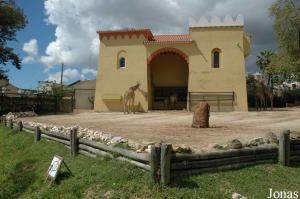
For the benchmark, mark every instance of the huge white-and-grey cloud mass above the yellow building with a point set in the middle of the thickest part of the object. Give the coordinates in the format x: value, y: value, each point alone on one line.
x: 76, y: 23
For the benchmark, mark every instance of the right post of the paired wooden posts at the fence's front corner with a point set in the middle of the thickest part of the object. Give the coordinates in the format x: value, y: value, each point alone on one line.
x: 166, y: 152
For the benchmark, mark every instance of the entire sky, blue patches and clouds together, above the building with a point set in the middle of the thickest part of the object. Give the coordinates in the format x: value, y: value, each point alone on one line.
x: 64, y: 31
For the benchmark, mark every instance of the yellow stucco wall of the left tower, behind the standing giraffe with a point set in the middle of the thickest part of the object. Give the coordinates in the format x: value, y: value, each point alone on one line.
x: 113, y: 81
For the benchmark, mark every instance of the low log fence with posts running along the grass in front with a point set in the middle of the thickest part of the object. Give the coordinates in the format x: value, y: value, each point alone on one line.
x: 164, y: 164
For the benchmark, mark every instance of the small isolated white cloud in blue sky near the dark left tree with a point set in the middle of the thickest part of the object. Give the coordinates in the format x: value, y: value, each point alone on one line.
x: 31, y: 49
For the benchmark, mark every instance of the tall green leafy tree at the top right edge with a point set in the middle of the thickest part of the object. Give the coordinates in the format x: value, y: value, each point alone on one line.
x: 286, y: 15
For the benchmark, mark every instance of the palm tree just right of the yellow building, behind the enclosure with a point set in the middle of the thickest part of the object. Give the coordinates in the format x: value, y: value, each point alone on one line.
x: 263, y: 61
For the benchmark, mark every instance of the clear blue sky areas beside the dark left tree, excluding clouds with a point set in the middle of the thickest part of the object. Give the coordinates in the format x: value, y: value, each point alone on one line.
x: 30, y: 74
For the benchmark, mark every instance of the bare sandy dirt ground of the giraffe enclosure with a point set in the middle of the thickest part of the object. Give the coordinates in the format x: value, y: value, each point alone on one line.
x: 175, y: 126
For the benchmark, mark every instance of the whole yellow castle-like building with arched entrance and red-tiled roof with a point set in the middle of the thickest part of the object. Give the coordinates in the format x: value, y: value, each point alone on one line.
x: 206, y: 64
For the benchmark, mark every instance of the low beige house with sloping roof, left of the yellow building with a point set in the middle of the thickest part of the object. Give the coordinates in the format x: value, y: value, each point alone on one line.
x: 84, y: 93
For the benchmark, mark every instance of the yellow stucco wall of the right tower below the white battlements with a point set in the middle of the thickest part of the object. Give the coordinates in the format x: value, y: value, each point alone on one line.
x: 231, y: 75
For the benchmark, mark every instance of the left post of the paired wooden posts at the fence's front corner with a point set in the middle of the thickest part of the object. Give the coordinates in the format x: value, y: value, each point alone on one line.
x: 154, y: 163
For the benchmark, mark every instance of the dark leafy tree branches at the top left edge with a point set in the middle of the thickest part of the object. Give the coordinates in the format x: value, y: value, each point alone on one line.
x: 12, y: 20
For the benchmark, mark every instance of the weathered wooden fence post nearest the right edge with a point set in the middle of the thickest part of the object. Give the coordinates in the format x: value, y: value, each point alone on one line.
x: 284, y: 148
